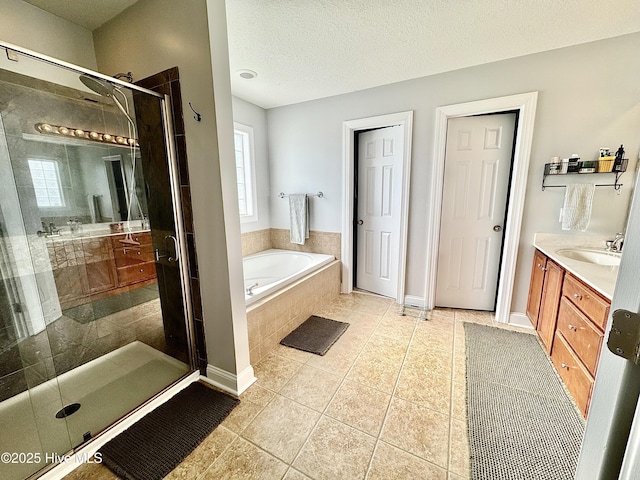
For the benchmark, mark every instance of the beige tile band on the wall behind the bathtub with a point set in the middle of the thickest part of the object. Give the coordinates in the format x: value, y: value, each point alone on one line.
x: 318, y: 242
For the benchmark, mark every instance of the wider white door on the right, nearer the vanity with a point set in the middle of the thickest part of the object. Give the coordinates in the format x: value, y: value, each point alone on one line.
x: 476, y: 178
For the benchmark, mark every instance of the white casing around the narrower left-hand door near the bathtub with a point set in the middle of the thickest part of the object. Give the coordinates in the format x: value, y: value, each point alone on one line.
x: 348, y: 138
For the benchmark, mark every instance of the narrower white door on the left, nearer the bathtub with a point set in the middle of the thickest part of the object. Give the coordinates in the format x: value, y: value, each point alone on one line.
x: 379, y: 194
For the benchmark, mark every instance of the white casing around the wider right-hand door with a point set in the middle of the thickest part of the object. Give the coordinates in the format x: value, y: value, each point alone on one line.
x: 525, y: 104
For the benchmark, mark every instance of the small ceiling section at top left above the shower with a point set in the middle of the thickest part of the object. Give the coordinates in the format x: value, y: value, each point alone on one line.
x: 89, y: 14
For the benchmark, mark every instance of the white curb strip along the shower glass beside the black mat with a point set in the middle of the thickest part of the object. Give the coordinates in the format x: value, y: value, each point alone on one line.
x: 83, y: 454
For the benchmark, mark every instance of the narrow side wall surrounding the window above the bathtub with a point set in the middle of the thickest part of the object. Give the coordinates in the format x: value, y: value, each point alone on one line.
x: 256, y: 117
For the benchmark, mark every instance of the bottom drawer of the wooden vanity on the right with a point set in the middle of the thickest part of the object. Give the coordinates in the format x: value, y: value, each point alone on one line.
x: 576, y: 378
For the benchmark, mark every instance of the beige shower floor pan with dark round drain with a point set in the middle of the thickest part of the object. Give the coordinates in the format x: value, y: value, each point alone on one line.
x: 106, y: 388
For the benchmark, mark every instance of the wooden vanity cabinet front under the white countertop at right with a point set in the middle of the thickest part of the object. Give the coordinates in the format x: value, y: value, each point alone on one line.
x: 571, y: 321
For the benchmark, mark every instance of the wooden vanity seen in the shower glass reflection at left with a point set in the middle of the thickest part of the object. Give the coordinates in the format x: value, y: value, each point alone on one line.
x: 100, y: 265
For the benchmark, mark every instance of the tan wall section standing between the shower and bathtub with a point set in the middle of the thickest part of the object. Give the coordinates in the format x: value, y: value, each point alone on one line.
x: 181, y: 38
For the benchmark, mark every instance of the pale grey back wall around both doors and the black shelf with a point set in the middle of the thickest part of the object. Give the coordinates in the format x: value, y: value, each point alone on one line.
x: 589, y: 96
